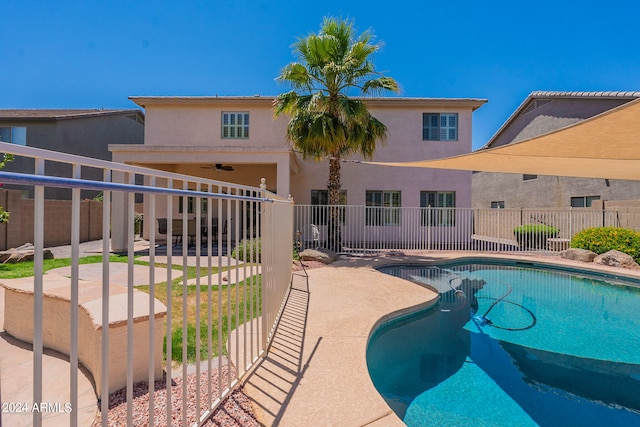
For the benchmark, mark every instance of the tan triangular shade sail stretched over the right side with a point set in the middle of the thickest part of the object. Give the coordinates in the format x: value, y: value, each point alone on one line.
x: 603, y: 146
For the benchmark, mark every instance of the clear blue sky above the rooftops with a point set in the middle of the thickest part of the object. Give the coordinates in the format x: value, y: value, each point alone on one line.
x: 95, y: 54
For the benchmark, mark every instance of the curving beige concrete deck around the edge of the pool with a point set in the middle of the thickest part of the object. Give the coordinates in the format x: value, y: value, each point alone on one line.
x: 315, y: 372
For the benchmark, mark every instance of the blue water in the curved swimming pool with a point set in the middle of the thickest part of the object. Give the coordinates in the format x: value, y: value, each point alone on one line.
x: 510, y: 345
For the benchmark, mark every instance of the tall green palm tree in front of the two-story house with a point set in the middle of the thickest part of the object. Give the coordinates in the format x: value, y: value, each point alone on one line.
x: 324, y: 121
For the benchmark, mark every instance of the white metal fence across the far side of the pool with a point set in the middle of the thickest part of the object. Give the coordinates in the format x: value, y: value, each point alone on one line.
x: 366, y: 229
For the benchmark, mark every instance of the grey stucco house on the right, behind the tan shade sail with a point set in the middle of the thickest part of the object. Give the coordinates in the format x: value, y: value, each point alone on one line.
x: 540, y: 113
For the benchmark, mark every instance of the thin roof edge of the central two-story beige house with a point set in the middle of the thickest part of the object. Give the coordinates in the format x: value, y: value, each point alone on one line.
x: 144, y: 101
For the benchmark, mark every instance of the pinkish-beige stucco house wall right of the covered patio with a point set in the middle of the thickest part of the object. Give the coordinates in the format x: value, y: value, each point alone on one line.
x: 404, y: 143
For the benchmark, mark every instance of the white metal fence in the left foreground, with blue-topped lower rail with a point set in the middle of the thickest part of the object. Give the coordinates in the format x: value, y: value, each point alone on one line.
x: 213, y: 311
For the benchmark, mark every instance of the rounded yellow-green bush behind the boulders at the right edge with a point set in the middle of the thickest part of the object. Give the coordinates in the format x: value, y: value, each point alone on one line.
x: 604, y: 239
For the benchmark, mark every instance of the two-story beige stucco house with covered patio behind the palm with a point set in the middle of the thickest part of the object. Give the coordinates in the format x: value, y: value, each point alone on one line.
x: 237, y: 139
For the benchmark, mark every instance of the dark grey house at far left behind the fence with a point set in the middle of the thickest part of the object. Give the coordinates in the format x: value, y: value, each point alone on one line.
x: 81, y: 132
